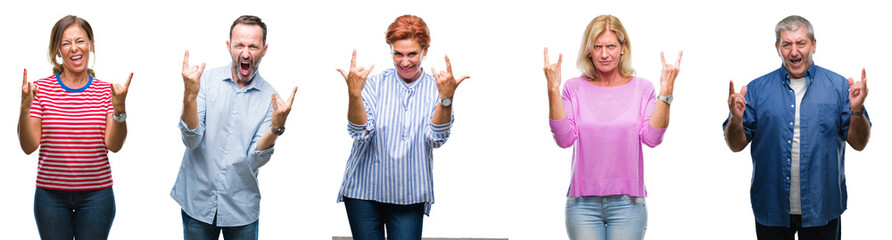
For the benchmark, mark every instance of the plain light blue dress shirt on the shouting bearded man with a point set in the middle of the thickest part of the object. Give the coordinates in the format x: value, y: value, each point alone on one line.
x: 219, y: 170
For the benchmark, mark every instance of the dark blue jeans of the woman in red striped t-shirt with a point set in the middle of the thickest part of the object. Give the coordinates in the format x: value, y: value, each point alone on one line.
x: 74, y: 214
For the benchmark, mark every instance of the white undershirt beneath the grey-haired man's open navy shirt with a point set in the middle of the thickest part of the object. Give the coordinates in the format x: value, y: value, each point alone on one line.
x: 799, y: 86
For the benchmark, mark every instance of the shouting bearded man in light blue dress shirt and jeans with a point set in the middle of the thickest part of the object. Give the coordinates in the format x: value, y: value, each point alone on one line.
x: 231, y: 119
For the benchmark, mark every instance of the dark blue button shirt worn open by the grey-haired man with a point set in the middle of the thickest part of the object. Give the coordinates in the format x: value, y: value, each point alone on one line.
x: 824, y: 123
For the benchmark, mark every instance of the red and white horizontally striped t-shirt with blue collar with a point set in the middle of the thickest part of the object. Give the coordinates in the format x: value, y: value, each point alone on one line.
x: 73, y: 155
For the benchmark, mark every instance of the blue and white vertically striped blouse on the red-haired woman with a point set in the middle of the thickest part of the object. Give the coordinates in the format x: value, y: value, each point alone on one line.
x: 392, y: 153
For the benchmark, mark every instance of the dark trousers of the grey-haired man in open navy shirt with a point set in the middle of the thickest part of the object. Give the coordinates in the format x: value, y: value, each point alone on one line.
x: 831, y: 231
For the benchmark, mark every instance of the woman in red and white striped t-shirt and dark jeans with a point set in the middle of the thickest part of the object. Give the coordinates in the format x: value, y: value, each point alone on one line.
x: 75, y: 120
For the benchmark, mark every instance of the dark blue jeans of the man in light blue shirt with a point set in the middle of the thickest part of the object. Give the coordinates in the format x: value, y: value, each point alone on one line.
x: 198, y: 230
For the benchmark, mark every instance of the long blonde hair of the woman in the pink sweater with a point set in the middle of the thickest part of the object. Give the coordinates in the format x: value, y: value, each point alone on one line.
x: 595, y: 28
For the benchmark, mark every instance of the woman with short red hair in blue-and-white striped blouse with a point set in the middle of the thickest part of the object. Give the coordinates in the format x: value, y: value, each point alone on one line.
x: 396, y: 119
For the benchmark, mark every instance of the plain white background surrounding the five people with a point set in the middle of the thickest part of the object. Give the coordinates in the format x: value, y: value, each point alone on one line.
x: 501, y: 174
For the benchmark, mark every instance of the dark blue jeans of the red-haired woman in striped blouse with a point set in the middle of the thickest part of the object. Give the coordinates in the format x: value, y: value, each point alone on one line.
x: 369, y: 218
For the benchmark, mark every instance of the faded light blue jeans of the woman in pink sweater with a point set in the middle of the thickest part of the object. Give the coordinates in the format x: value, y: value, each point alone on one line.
x: 608, y: 217
